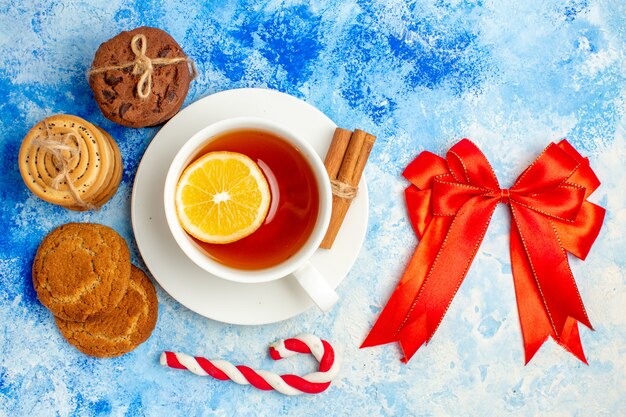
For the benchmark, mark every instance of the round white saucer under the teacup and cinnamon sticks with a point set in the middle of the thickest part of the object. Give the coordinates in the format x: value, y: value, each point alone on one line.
x: 213, y: 297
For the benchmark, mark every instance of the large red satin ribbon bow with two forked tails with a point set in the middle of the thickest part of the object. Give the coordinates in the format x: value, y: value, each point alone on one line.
x: 450, y: 204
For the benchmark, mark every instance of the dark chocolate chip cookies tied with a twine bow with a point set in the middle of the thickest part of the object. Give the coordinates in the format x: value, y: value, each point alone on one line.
x: 141, y: 77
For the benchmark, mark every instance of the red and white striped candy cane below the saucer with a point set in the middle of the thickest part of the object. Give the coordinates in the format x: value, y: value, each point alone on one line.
x: 313, y: 383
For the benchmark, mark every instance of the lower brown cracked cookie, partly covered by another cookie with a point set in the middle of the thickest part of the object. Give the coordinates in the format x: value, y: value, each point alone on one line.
x: 128, y: 325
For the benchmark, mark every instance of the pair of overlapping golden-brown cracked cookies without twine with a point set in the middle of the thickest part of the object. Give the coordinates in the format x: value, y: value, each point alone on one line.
x: 102, y: 304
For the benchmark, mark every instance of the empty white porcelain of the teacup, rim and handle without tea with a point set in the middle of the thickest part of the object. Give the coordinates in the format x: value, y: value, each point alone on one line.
x: 297, y: 265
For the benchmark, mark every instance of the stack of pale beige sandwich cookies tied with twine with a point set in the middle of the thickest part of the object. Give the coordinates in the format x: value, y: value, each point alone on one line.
x: 68, y: 161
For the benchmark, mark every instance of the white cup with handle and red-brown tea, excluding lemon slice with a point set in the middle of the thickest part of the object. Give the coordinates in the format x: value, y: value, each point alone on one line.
x: 297, y: 217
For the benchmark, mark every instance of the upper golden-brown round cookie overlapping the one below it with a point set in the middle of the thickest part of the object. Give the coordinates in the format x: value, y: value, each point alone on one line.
x: 81, y: 271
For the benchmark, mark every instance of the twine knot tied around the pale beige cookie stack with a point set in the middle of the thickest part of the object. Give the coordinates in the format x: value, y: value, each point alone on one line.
x: 56, y: 145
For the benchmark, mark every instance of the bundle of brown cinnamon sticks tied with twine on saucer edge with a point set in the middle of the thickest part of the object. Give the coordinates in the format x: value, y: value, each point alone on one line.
x: 347, y: 176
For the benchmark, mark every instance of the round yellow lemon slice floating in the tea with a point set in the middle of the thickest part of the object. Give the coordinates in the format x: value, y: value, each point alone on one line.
x: 222, y: 197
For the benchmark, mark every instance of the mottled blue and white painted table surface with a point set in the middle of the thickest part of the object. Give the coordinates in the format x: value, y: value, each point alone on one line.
x: 511, y: 75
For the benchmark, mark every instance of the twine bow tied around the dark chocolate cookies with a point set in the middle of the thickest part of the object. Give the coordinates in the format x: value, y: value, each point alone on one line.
x: 144, y: 65
